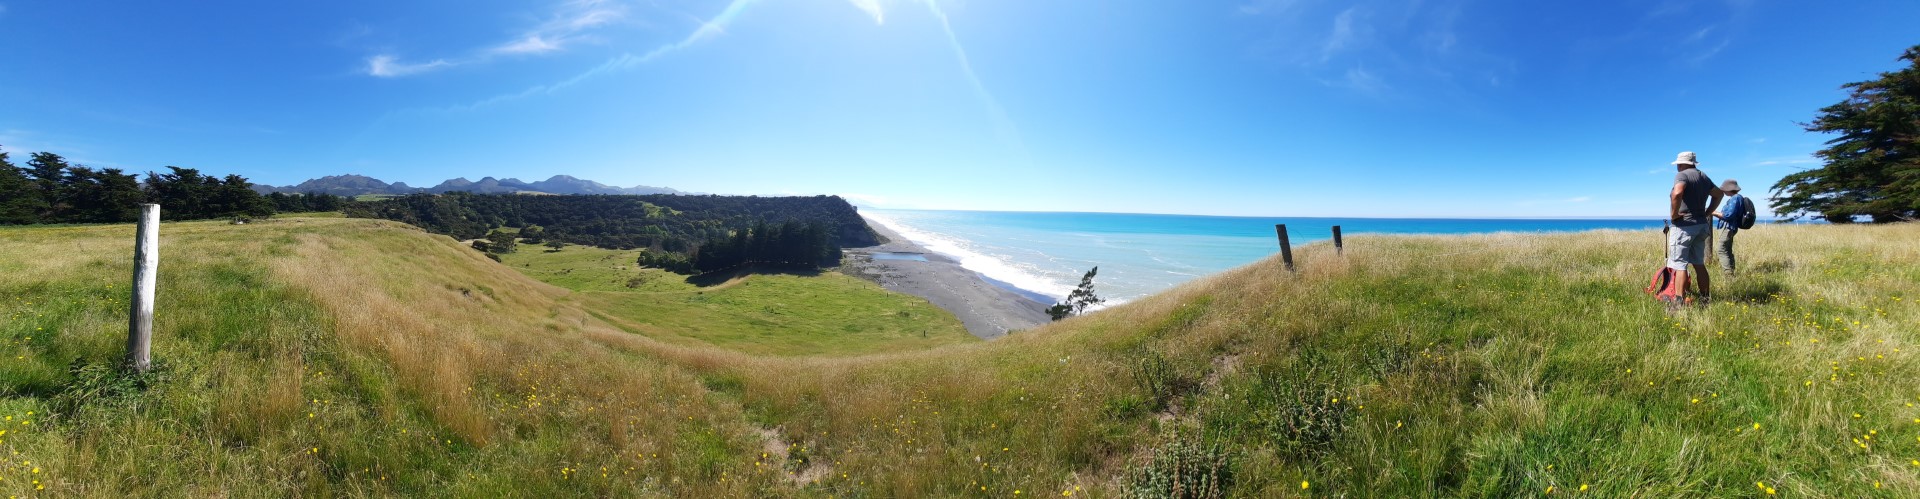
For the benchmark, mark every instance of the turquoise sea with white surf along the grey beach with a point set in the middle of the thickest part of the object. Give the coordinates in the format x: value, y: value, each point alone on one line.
x: 1047, y: 254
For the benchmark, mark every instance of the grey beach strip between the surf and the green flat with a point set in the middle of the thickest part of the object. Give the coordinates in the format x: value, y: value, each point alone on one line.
x: 988, y: 312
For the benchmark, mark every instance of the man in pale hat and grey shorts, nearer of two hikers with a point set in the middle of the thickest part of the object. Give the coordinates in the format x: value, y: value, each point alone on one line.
x: 1691, y: 214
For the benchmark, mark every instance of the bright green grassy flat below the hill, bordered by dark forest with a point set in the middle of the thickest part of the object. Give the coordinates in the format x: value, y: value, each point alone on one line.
x: 775, y: 314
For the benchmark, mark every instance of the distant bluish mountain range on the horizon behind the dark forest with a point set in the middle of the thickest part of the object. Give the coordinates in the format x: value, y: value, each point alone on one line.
x: 356, y: 185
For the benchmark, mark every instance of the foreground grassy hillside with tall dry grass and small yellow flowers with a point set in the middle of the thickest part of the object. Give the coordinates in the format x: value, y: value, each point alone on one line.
x: 360, y: 358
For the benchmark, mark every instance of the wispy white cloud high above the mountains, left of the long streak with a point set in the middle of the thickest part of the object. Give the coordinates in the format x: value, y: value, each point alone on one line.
x: 569, y: 24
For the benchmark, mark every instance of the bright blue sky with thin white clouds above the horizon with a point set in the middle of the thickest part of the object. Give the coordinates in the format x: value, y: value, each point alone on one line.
x: 1303, y: 108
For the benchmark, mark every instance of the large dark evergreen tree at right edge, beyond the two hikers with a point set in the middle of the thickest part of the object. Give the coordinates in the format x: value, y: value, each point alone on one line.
x: 1873, y: 168
